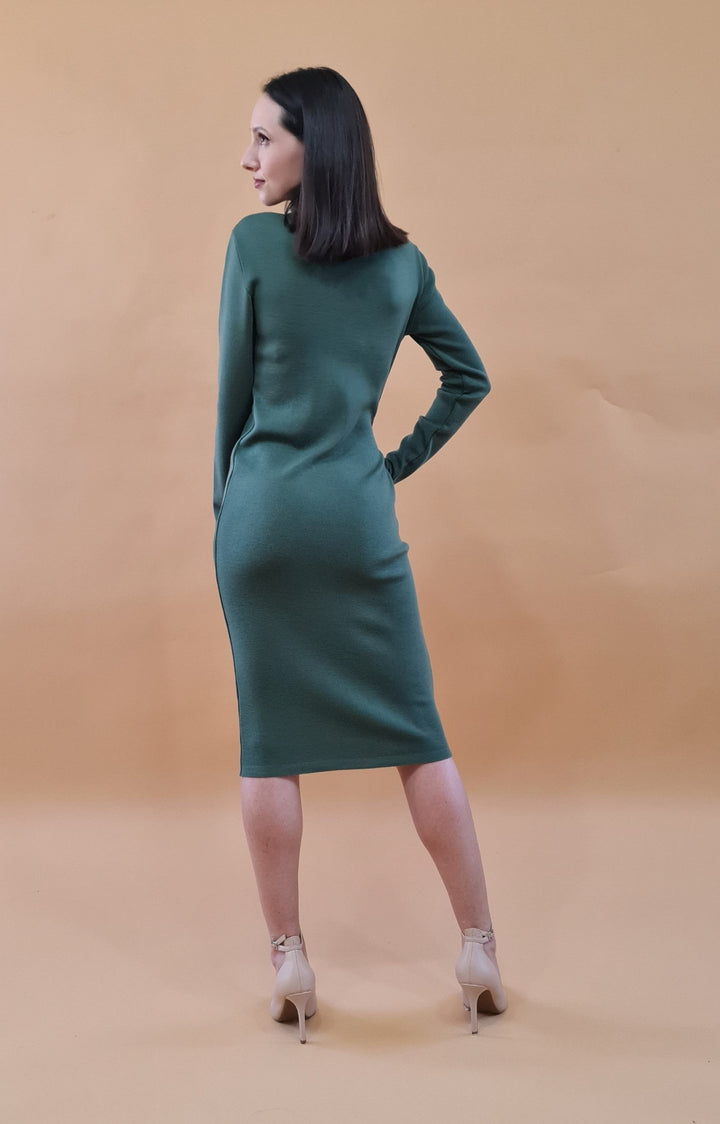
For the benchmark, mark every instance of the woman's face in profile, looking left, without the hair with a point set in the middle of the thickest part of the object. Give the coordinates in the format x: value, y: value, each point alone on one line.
x: 275, y: 156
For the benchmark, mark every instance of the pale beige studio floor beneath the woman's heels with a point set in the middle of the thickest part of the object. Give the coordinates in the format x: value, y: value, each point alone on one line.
x: 138, y: 971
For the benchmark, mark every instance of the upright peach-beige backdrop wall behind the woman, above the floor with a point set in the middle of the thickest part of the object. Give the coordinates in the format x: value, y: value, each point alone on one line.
x: 557, y: 166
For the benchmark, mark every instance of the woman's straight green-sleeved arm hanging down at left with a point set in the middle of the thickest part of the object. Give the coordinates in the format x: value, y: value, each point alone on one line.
x: 235, y: 368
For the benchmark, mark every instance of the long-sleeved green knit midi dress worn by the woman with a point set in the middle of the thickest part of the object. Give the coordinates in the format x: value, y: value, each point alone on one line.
x: 331, y: 663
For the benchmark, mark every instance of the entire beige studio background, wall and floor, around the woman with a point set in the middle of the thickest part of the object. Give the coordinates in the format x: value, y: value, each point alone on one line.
x: 558, y: 165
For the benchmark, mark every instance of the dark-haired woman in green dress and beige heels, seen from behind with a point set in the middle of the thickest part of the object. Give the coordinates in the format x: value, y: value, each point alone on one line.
x: 331, y: 663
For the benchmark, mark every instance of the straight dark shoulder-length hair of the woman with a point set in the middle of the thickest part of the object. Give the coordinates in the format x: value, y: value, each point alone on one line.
x: 335, y: 213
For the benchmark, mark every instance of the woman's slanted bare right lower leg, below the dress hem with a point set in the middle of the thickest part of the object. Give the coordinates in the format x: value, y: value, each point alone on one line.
x: 443, y: 818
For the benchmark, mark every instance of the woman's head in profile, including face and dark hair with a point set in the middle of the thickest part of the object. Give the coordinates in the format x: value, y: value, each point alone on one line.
x: 313, y: 148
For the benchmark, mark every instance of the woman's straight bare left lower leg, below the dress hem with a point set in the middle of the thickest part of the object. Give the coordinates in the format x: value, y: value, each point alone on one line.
x: 272, y: 815
